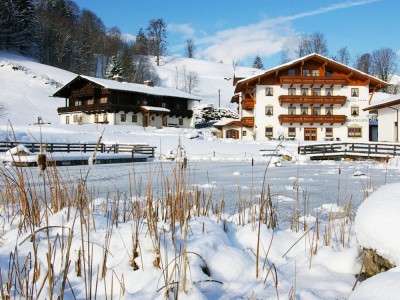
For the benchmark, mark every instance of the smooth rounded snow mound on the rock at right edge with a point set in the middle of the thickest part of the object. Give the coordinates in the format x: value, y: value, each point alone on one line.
x: 377, y: 223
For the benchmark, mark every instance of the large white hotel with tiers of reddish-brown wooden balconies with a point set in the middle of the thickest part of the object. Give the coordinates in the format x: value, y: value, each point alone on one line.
x: 311, y: 98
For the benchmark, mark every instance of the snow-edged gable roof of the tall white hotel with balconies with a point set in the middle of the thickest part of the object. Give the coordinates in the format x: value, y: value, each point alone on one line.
x: 298, y: 60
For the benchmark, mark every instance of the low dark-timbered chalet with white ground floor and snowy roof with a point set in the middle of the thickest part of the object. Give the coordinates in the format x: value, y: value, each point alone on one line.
x: 96, y: 100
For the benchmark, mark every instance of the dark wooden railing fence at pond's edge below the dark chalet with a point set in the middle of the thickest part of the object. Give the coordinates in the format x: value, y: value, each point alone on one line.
x: 82, y: 147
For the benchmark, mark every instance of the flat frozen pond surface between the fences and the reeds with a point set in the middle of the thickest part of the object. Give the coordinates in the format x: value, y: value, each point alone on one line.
x: 318, y: 182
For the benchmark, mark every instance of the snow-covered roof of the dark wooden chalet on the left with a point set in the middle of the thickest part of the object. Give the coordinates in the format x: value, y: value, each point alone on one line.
x: 135, y: 87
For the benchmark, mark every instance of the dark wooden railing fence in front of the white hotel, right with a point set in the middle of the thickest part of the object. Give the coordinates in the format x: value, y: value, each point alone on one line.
x: 350, y: 150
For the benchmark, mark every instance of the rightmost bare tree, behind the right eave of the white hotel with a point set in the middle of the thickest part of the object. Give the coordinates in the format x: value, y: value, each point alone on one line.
x: 383, y: 63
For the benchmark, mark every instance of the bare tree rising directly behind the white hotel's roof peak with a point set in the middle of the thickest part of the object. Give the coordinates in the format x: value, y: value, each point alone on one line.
x: 313, y: 43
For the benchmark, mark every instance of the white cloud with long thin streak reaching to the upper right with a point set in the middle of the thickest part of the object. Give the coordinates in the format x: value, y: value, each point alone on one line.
x: 264, y: 38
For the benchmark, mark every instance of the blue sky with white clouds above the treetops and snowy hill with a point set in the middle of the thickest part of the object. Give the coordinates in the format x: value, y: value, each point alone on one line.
x: 238, y: 31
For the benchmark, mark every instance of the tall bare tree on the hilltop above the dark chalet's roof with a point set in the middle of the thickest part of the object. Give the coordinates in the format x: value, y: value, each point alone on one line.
x: 157, y: 38
